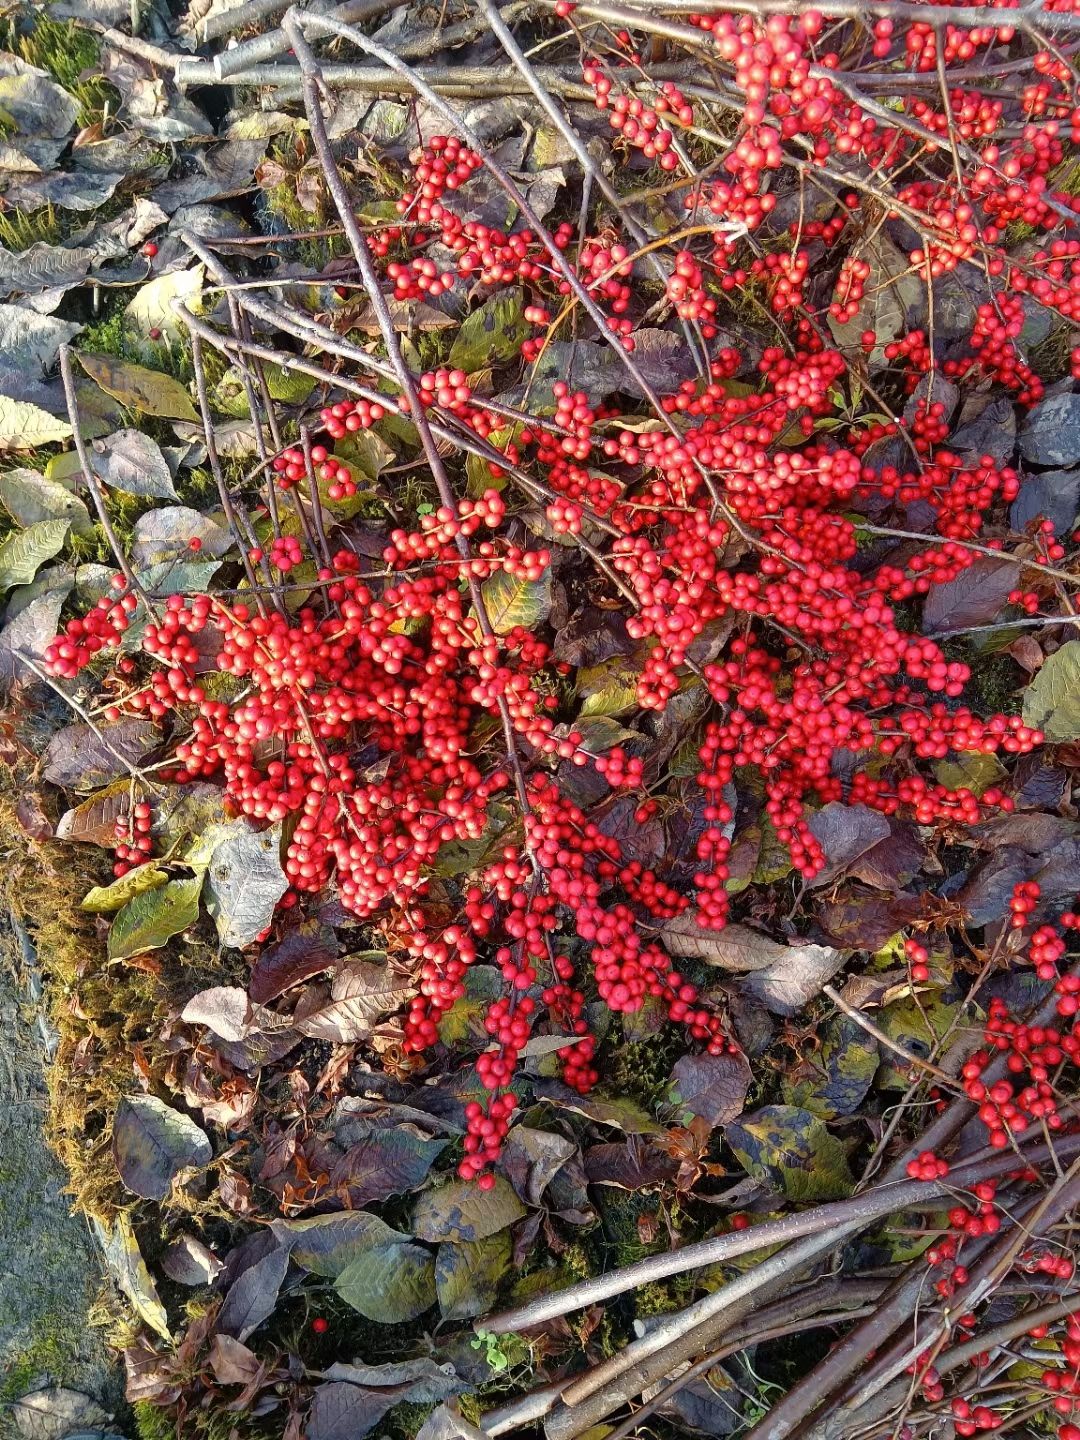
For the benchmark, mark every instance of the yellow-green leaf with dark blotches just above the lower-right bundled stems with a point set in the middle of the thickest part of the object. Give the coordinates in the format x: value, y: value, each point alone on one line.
x: 793, y: 1151
